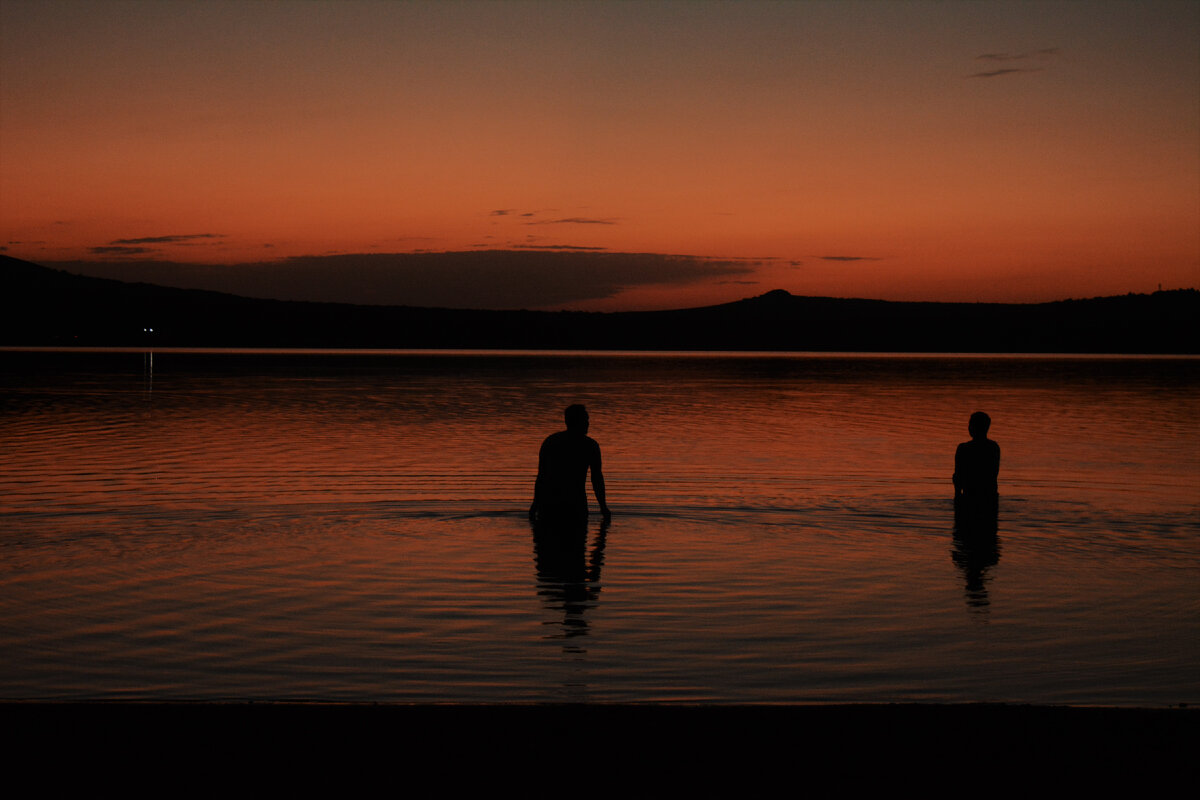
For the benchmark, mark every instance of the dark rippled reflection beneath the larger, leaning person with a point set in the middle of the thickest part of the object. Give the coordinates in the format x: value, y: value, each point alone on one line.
x: 569, y: 575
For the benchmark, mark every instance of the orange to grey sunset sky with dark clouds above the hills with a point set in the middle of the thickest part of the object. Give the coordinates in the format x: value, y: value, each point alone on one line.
x: 1012, y: 152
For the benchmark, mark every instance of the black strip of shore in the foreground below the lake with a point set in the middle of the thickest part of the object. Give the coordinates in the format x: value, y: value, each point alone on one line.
x: 643, y: 750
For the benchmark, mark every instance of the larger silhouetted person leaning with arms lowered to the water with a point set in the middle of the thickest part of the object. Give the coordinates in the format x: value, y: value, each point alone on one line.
x: 561, y: 491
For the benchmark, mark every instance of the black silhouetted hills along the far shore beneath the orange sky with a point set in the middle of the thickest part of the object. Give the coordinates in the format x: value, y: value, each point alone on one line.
x: 50, y: 308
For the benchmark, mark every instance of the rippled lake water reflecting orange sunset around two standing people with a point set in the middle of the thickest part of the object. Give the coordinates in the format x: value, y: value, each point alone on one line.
x: 352, y: 527
